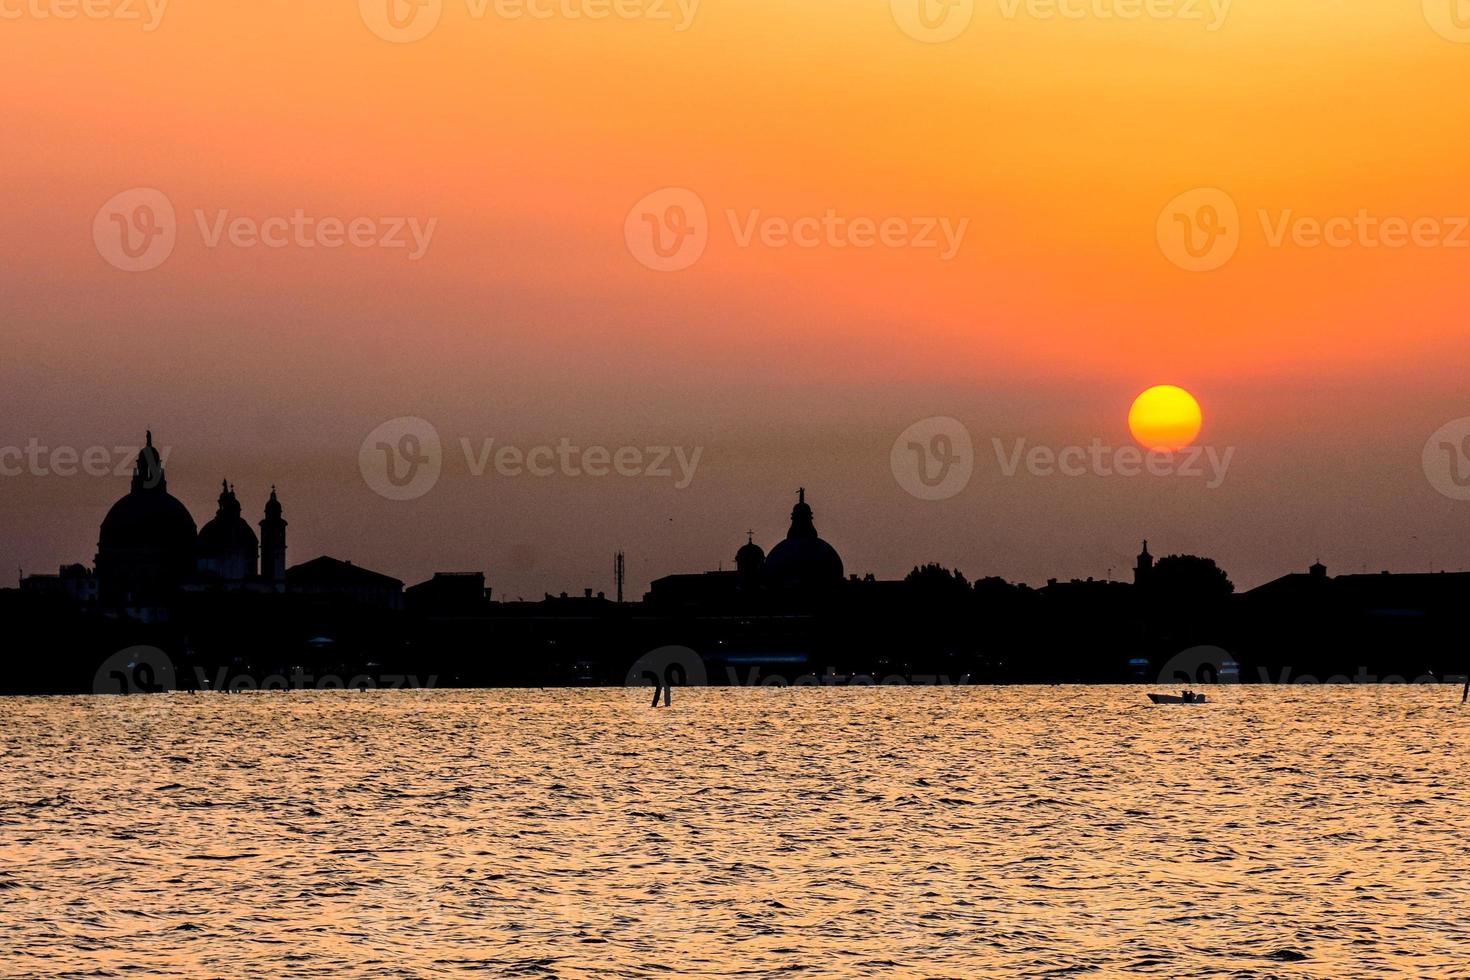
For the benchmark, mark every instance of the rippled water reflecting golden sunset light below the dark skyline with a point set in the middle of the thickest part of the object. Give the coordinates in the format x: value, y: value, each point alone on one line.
x: 975, y: 832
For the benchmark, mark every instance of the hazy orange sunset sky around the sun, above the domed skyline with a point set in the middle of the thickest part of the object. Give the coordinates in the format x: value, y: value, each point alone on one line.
x: 530, y: 318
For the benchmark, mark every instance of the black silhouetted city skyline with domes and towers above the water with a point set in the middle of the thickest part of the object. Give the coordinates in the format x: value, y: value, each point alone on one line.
x: 224, y: 603
